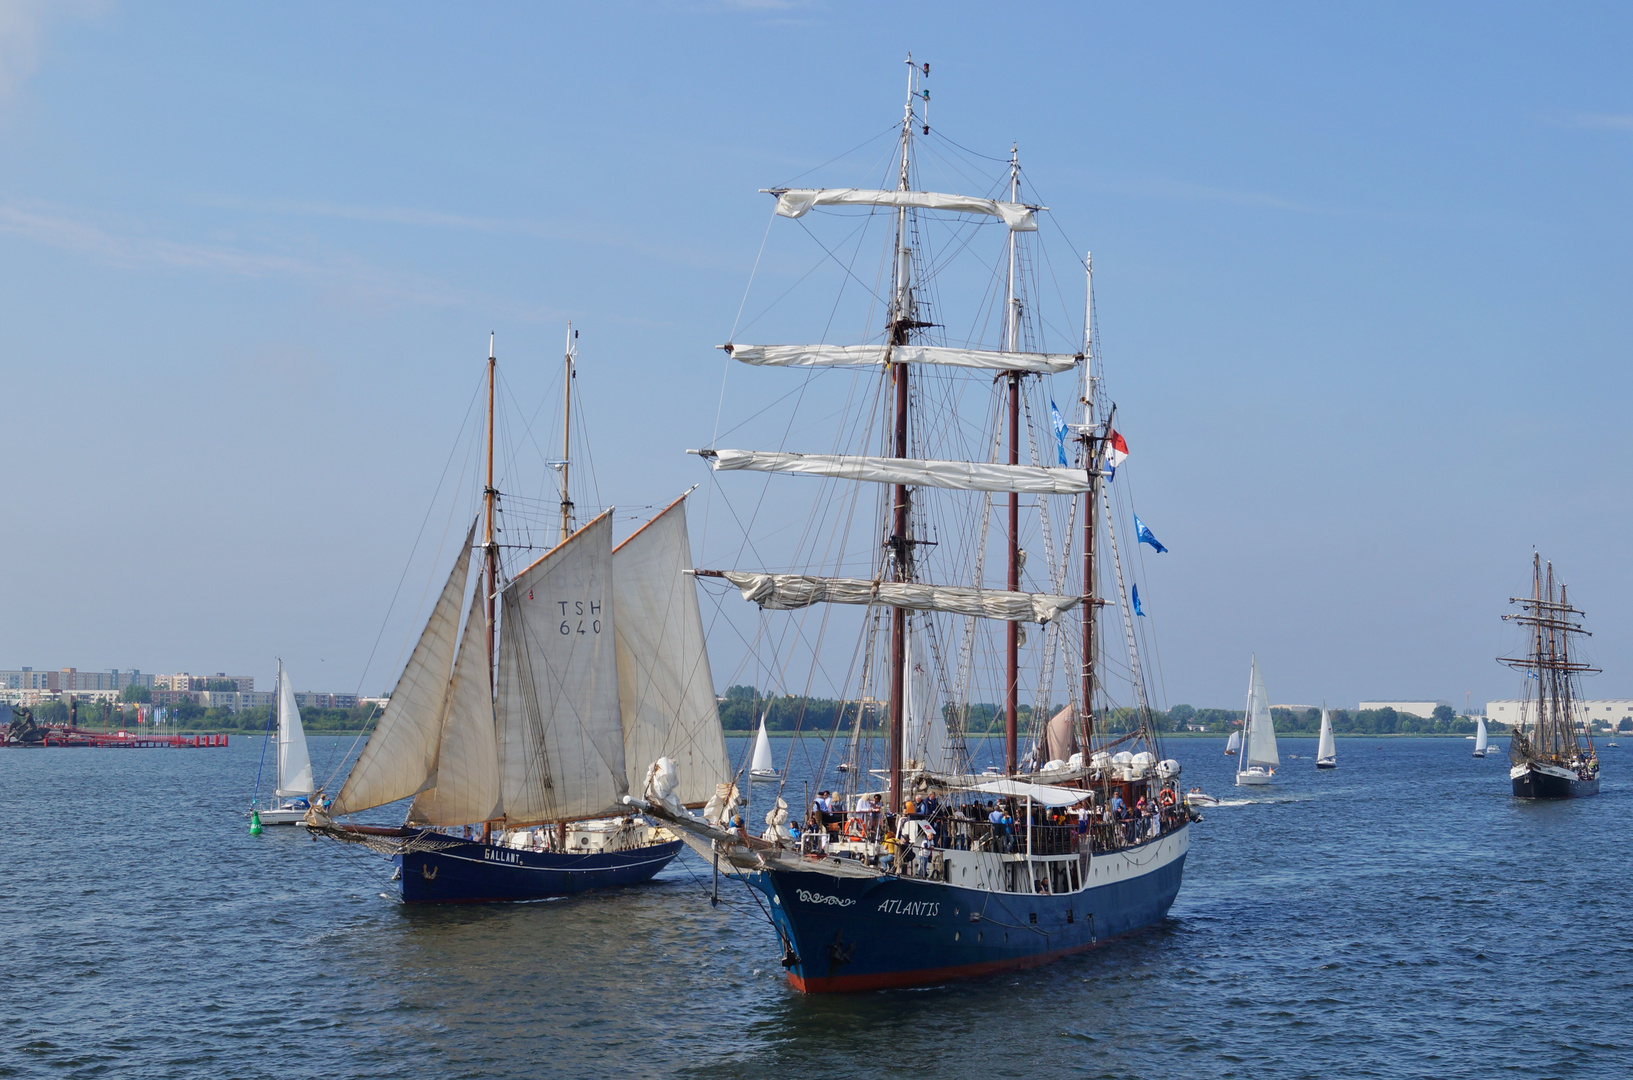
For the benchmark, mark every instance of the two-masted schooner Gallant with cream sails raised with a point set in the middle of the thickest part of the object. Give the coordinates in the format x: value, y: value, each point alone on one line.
x: 518, y: 769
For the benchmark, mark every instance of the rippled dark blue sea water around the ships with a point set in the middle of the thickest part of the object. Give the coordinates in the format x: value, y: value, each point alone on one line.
x: 1400, y: 917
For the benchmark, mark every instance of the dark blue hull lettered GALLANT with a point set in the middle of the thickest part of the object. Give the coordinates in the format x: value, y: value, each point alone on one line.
x: 481, y: 873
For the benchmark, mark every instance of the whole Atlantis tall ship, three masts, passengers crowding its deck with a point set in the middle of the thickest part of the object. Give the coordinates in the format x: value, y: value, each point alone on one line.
x: 958, y: 543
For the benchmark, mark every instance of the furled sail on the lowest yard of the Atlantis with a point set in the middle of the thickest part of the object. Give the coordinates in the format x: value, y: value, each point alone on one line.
x: 788, y: 592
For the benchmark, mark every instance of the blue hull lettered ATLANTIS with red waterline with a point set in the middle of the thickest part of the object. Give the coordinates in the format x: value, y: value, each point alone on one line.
x: 868, y: 934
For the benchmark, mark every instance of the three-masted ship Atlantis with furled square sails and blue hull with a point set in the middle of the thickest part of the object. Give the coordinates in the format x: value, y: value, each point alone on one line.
x: 930, y: 872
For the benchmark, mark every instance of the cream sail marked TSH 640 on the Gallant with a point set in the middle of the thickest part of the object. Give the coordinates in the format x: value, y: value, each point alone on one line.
x: 561, y: 730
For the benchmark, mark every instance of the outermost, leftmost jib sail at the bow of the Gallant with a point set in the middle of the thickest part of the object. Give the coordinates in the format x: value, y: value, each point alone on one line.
x: 401, y: 756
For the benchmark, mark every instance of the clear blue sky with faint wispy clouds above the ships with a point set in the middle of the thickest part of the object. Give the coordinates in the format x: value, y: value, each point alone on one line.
x: 1361, y: 272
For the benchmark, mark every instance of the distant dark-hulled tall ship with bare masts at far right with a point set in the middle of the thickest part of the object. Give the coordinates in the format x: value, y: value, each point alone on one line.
x: 1549, y: 759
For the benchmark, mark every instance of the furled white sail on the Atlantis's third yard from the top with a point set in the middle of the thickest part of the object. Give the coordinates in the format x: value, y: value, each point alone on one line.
x: 968, y: 476
